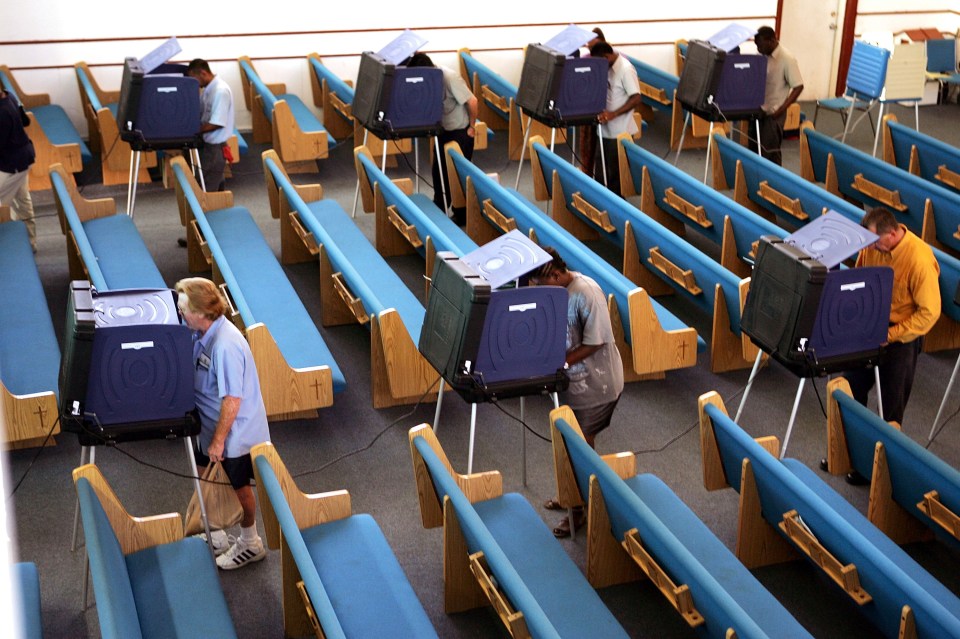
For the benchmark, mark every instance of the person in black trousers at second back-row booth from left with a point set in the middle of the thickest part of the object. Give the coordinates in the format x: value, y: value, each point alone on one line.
x: 459, y: 115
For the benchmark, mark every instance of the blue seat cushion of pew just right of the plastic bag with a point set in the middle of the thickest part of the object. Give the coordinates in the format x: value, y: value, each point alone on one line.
x: 366, y: 585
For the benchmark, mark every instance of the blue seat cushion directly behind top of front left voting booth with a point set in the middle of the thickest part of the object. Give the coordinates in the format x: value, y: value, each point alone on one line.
x: 122, y: 254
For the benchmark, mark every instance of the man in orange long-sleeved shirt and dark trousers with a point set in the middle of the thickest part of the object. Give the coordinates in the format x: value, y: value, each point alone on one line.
x: 914, y: 309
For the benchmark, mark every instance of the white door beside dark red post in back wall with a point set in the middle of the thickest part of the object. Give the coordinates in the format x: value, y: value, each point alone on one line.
x: 811, y: 29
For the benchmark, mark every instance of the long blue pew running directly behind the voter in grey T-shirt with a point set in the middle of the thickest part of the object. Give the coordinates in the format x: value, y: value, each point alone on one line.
x: 651, y: 340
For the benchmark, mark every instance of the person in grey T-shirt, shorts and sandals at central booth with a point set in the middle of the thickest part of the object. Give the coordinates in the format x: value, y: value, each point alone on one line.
x: 593, y: 361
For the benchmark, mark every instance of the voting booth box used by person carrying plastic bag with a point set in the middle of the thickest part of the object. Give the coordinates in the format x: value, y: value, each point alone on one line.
x: 127, y: 370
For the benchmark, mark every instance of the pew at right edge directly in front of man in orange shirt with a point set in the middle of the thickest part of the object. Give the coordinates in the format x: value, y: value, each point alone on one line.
x: 912, y: 490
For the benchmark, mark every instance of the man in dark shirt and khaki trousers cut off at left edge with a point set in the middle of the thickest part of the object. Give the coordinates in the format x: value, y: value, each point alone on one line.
x: 16, y: 156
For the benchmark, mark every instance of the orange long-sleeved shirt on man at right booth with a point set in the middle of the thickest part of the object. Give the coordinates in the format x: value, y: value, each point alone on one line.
x: 915, y: 305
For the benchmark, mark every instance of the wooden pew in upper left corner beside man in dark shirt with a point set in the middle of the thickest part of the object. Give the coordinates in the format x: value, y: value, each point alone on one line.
x: 55, y: 139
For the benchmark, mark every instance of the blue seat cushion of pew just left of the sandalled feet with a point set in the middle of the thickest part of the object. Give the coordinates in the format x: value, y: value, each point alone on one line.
x: 556, y: 583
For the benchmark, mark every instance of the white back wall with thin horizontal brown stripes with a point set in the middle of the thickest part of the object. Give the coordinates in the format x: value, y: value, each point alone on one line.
x: 41, y: 40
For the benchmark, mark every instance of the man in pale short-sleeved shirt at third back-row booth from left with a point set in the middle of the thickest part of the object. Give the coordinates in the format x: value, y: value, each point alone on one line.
x: 623, y: 96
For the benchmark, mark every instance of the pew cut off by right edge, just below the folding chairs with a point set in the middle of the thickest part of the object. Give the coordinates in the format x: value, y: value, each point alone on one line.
x: 921, y: 154
